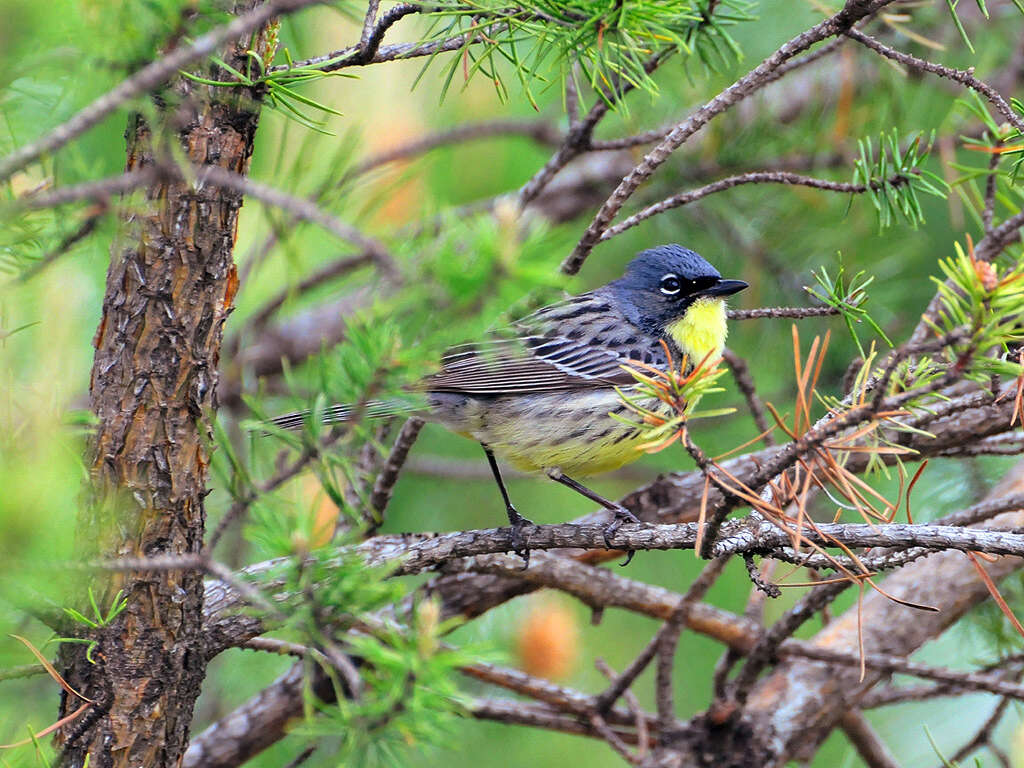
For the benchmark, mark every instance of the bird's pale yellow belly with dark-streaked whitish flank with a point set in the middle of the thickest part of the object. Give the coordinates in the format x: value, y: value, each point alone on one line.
x: 571, y: 432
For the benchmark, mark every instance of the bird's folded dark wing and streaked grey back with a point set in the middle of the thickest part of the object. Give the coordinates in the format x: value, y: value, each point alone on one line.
x: 573, y: 346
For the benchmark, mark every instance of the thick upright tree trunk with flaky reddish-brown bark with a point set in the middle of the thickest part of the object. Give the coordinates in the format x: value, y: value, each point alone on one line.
x: 169, y: 289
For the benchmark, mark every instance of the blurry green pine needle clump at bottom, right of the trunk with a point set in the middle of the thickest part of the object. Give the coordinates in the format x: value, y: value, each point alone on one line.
x: 408, y: 677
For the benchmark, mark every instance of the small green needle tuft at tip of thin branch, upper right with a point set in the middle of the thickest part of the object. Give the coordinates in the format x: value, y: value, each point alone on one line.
x: 894, y: 178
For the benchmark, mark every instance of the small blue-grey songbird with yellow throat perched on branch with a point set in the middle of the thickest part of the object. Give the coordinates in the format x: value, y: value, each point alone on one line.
x: 541, y: 394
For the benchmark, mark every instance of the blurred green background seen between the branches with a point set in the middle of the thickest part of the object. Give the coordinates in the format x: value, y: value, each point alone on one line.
x: 57, y: 57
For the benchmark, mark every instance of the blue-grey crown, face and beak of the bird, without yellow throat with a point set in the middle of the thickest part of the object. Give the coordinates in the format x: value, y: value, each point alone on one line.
x: 662, y: 283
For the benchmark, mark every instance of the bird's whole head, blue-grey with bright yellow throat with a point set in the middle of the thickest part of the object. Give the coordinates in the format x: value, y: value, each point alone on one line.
x: 673, y: 291
